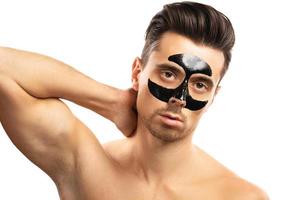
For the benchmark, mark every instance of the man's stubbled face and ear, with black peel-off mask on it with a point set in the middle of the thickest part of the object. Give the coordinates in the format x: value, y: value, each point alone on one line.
x: 176, y: 86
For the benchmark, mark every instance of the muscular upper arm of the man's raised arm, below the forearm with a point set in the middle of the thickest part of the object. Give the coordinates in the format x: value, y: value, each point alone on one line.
x: 40, y: 128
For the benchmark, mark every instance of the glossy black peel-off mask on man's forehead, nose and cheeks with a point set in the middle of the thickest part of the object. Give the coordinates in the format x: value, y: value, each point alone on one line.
x: 192, y: 66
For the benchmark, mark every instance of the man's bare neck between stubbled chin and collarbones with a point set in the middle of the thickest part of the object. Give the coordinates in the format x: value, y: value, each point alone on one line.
x: 155, y: 160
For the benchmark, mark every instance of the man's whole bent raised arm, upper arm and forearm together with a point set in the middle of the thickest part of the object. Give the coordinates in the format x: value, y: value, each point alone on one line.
x: 41, y: 125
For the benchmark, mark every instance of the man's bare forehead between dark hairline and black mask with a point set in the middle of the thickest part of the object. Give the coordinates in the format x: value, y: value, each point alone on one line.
x: 173, y: 43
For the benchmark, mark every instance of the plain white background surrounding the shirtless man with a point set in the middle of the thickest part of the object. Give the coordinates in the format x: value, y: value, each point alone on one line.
x: 253, y: 125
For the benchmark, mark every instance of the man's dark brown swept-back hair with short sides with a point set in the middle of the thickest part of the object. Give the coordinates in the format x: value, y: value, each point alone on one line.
x: 201, y: 23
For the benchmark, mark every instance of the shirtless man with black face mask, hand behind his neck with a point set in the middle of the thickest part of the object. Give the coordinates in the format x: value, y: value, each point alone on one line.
x: 186, y: 53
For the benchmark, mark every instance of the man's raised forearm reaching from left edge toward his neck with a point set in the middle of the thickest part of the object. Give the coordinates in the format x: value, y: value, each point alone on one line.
x: 45, y: 77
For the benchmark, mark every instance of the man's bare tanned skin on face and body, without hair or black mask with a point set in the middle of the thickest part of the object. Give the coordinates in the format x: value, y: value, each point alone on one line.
x: 157, y: 161
